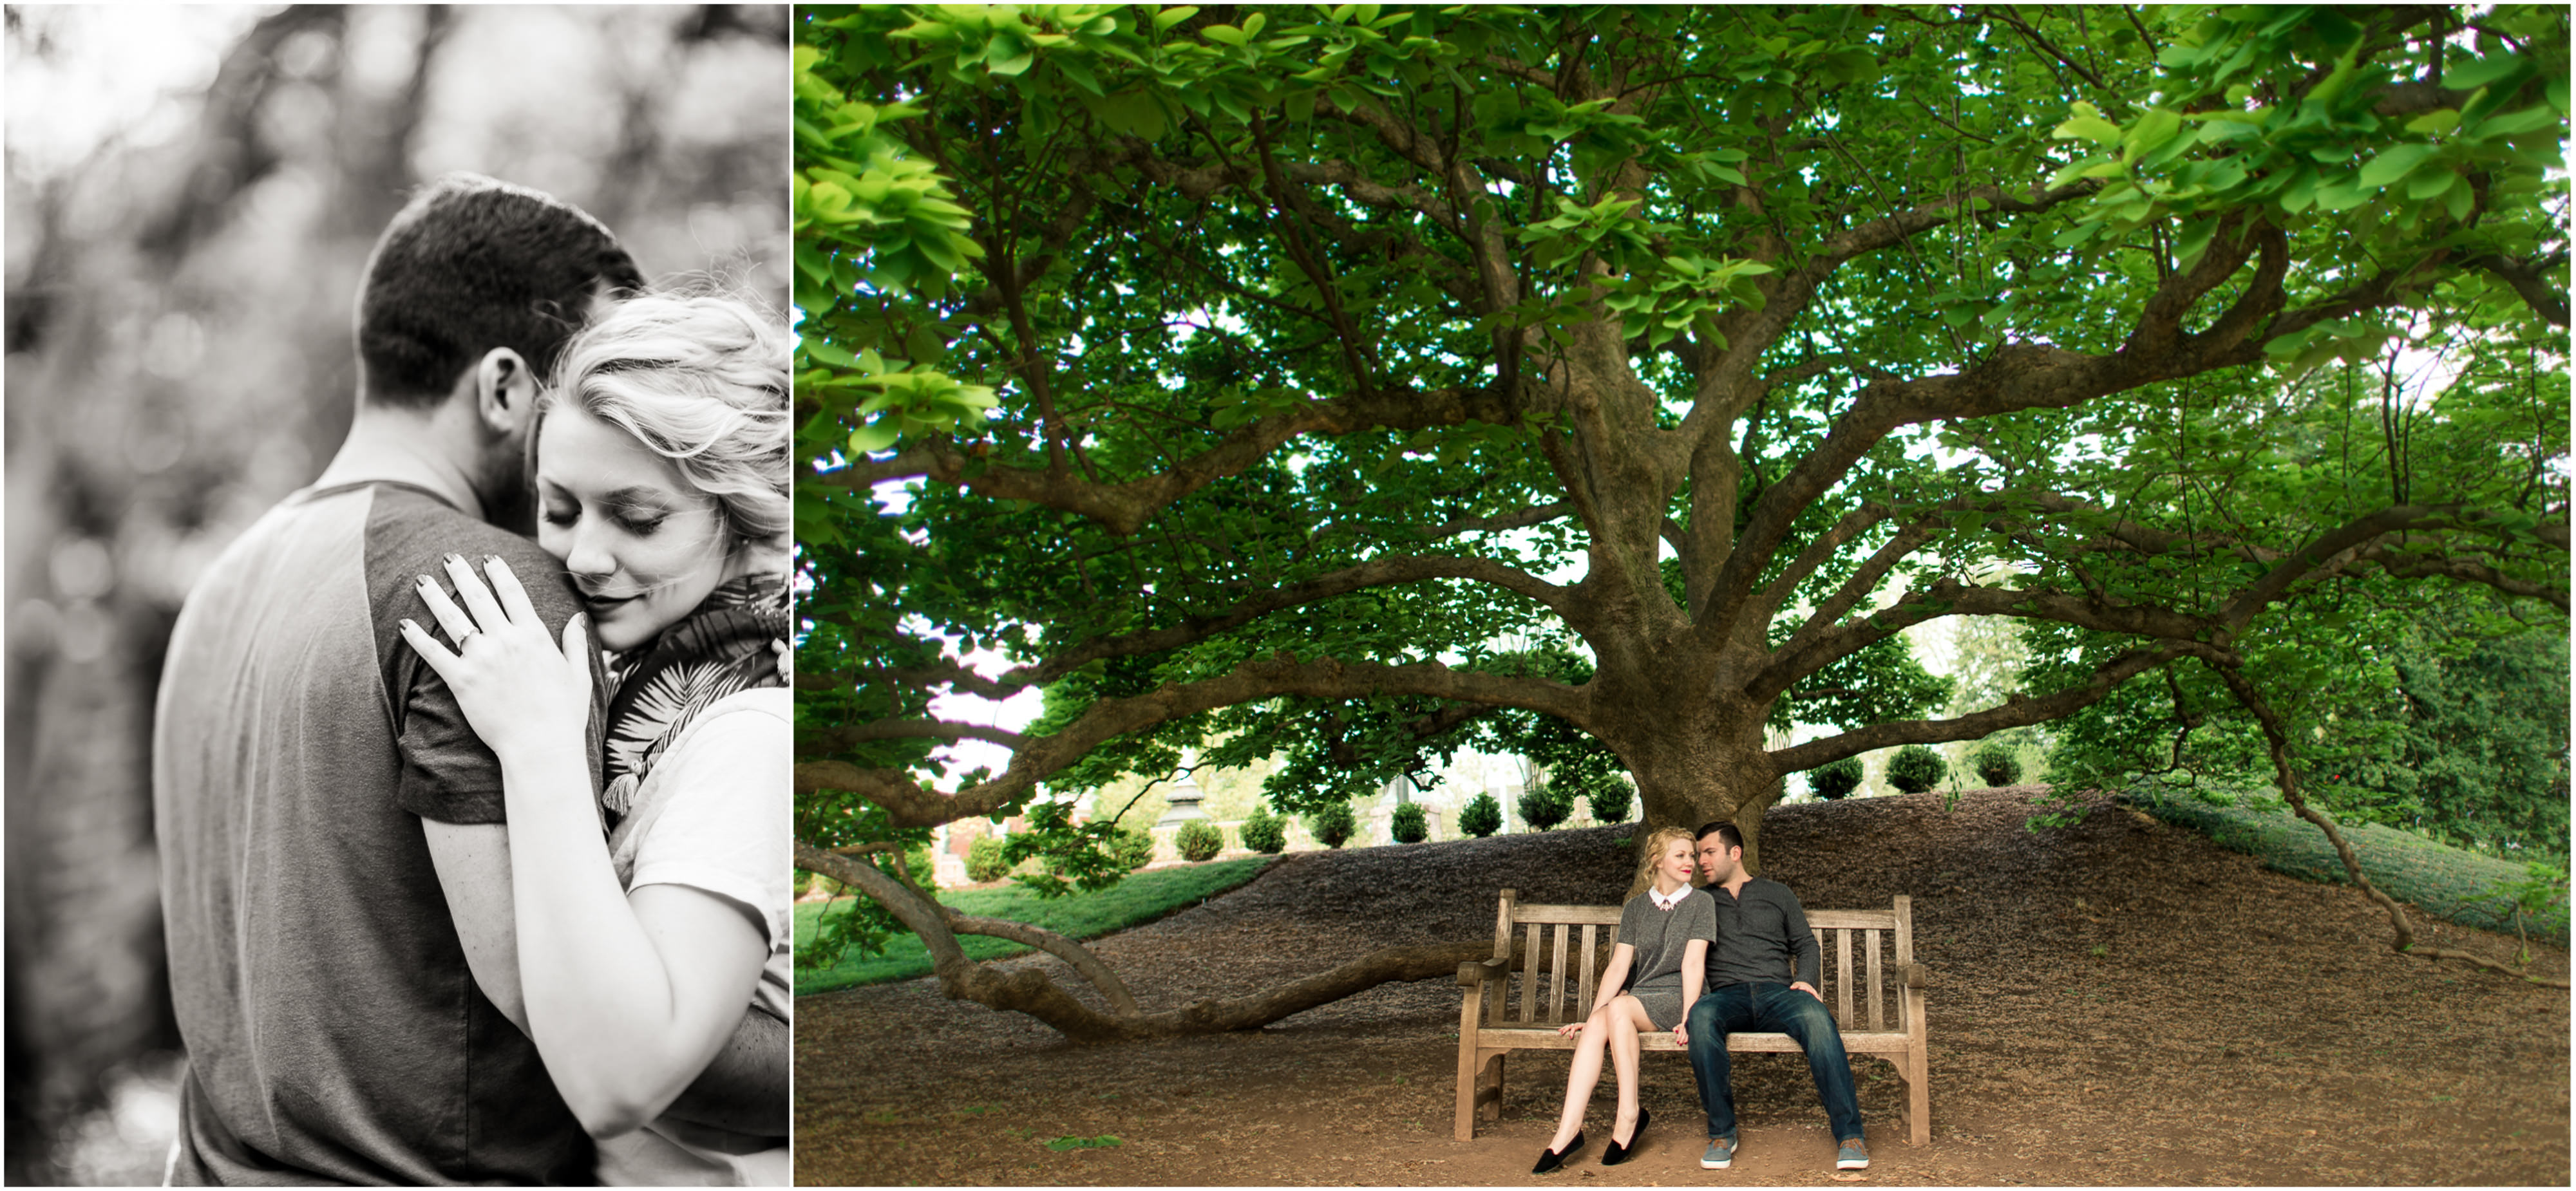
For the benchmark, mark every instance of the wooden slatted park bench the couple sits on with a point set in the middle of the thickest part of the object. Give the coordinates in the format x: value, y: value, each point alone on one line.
x: 1519, y: 1009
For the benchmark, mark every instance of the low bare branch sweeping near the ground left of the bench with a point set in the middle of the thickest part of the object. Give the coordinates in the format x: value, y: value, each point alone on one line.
x: 1029, y: 991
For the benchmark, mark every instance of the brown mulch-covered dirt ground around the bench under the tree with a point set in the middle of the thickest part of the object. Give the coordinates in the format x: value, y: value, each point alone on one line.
x: 2119, y: 1004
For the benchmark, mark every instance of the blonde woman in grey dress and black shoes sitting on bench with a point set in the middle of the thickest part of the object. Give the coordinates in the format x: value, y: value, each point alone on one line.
x: 1655, y: 976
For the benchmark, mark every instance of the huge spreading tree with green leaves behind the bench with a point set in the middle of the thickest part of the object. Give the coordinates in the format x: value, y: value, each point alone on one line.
x: 1359, y: 383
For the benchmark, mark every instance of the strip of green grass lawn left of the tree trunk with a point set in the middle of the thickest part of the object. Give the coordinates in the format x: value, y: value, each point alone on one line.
x: 1135, y: 901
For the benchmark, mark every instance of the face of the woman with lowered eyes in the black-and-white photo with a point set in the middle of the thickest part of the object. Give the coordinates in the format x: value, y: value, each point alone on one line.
x: 640, y: 543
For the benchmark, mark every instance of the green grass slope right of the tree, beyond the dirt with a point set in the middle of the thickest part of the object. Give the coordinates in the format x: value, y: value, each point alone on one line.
x: 2448, y: 883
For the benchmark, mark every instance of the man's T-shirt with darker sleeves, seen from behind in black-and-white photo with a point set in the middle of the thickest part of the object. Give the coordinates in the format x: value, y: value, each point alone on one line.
x: 334, y: 1027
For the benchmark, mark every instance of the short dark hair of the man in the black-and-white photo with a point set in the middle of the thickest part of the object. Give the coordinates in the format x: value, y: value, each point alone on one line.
x: 468, y: 267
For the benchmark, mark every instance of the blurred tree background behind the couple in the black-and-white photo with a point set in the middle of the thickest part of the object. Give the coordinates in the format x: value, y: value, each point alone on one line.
x: 192, y: 195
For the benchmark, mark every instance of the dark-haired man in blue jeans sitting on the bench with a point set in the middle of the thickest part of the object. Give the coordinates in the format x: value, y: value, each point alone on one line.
x: 1763, y: 981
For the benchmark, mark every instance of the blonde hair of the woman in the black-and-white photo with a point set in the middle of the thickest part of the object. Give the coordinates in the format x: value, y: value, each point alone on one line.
x: 702, y: 380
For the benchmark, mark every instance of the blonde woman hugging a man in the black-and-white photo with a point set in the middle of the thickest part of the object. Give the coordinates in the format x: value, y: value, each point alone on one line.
x: 663, y: 489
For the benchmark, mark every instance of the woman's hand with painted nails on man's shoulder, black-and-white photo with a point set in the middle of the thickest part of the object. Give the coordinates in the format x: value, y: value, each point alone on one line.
x: 509, y: 677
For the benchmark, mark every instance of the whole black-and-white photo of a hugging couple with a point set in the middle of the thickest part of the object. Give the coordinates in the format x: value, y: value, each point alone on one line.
x: 398, y: 452
